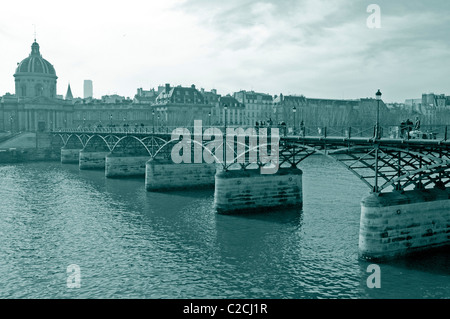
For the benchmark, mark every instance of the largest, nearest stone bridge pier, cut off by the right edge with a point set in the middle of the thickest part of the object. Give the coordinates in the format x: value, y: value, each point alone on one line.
x: 396, y: 224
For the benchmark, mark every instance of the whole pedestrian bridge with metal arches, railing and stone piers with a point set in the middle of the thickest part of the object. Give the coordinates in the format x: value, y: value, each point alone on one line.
x: 408, y: 204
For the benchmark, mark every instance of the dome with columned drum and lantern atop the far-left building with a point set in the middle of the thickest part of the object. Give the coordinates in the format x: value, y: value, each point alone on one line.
x: 35, y: 76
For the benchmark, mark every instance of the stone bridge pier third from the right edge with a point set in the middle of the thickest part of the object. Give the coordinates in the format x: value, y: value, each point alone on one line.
x: 166, y: 176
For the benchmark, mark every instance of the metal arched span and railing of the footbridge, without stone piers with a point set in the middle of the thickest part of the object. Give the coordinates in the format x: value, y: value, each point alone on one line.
x: 381, y: 163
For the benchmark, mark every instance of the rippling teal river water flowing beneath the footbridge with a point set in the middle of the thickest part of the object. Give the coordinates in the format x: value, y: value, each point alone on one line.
x: 130, y: 243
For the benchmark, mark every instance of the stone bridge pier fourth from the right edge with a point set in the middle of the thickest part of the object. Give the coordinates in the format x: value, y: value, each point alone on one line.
x: 125, y: 166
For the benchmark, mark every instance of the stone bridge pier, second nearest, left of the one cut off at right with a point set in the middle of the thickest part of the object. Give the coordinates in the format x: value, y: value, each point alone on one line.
x: 248, y: 190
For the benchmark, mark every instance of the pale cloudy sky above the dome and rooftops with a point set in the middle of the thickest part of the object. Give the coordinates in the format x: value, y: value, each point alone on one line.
x: 316, y: 48
